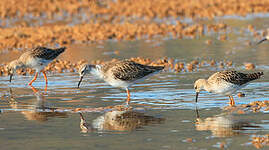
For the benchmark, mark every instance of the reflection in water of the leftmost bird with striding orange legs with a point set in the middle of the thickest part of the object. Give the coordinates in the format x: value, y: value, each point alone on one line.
x: 39, y: 110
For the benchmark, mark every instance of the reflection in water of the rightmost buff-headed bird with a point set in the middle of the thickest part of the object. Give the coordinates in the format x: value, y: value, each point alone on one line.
x: 225, y: 124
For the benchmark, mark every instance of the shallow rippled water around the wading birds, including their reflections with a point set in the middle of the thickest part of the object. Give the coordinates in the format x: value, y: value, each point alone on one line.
x: 163, y: 115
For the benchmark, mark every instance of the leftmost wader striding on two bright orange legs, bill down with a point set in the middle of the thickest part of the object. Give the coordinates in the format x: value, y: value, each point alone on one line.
x: 36, y: 58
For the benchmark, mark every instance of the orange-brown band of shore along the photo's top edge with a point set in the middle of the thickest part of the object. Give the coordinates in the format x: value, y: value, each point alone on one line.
x: 129, y: 8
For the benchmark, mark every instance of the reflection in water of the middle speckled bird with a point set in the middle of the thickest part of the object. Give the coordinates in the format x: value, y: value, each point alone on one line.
x: 119, y: 120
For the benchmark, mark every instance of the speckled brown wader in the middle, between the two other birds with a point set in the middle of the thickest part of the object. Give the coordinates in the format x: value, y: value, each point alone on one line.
x: 121, y: 74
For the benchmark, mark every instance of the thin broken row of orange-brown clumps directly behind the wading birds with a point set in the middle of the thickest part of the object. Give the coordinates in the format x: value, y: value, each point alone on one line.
x: 171, y: 65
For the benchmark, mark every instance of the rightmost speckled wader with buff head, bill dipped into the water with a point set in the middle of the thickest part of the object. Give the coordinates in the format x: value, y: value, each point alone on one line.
x: 225, y: 82
